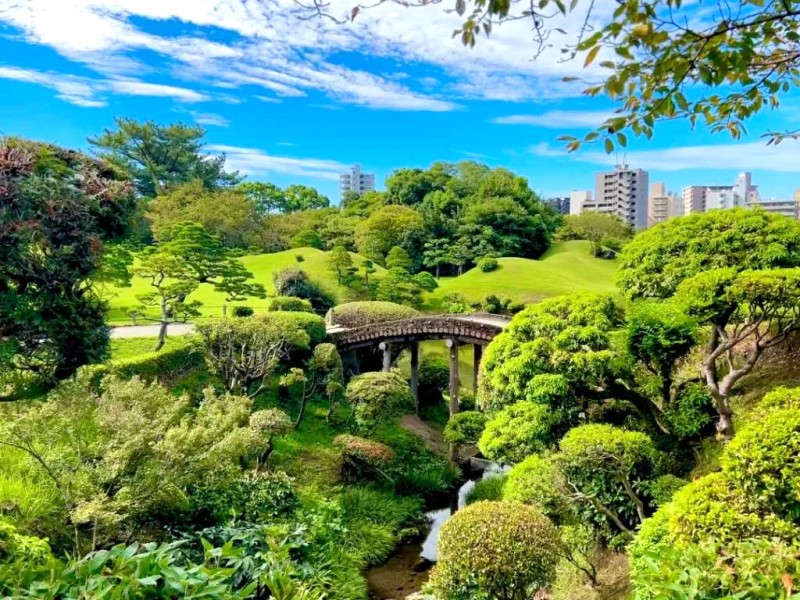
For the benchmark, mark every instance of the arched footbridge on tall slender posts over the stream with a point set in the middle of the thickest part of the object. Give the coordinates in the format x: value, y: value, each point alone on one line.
x: 476, y: 329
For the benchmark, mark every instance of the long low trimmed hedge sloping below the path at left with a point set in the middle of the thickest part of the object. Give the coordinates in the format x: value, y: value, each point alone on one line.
x: 150, y: 366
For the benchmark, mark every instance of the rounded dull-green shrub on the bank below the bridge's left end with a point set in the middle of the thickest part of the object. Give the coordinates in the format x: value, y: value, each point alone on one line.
x: 376, y: 396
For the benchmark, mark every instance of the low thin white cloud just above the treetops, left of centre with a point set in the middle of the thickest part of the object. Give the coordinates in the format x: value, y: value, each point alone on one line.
x: 253, y: 161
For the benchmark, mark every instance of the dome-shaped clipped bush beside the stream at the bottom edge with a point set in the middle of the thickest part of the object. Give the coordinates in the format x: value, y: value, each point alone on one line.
x: 495, y: 550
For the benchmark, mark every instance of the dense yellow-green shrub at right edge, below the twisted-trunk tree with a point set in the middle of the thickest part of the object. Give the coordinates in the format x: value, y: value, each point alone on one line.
x: 763, y: 461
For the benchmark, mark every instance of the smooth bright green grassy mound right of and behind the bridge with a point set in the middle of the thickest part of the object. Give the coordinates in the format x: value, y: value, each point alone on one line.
x: 566, y: 267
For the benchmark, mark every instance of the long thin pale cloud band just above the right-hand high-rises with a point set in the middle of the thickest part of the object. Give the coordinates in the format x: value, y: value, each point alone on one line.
x: 750, y: 156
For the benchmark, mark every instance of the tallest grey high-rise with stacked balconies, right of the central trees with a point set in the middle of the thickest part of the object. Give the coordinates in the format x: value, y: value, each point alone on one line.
x: 622, y: 192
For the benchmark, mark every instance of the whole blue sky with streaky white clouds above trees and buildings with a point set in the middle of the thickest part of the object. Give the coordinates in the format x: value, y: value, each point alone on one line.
x: 297, y: 101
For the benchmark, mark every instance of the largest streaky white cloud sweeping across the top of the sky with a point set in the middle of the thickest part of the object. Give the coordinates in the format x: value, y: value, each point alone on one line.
x: 272, y: 48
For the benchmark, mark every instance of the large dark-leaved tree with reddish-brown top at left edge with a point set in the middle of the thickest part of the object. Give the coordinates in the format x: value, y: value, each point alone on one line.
x: 60, y: 214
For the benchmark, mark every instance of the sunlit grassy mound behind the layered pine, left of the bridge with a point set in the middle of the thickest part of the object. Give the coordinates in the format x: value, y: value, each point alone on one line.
x: 123, y: 300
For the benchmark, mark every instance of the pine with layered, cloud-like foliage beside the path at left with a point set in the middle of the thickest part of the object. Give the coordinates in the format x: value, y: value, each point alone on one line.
x: 175, y: 268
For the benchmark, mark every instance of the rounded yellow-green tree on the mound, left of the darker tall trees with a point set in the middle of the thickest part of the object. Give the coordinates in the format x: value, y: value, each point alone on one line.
x: 385, y: 228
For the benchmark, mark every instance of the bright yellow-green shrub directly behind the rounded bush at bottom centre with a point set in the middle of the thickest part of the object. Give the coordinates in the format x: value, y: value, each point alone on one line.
x: 537, y: 481
